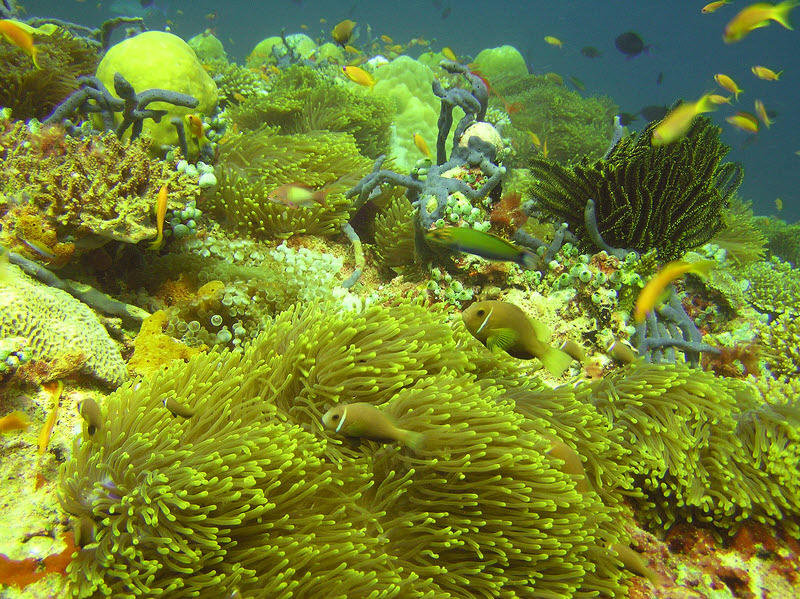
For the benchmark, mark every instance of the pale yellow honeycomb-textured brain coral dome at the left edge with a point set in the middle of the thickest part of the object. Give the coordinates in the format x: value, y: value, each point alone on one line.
x: 63, y: 336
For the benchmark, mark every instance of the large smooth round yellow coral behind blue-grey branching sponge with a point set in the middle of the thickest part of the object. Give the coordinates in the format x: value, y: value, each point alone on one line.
x: 156, y: 59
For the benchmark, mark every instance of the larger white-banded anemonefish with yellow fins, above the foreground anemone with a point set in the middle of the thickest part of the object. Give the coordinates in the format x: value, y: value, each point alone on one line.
x: 504, y: 326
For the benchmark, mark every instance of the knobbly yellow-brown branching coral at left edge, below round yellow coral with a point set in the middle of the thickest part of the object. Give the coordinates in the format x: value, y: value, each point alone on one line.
x: 97, y: 185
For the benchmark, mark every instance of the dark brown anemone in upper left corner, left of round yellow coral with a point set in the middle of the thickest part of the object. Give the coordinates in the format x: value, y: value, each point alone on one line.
x: 34, y: 93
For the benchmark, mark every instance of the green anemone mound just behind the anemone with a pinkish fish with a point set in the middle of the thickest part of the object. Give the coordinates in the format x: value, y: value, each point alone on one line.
x: 302, y: 100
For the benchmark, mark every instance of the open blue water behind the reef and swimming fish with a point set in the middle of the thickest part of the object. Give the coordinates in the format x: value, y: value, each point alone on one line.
x: 686, y: 46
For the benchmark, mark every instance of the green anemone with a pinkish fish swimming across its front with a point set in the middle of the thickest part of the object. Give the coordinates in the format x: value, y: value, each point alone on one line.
x: 255, y: 163
